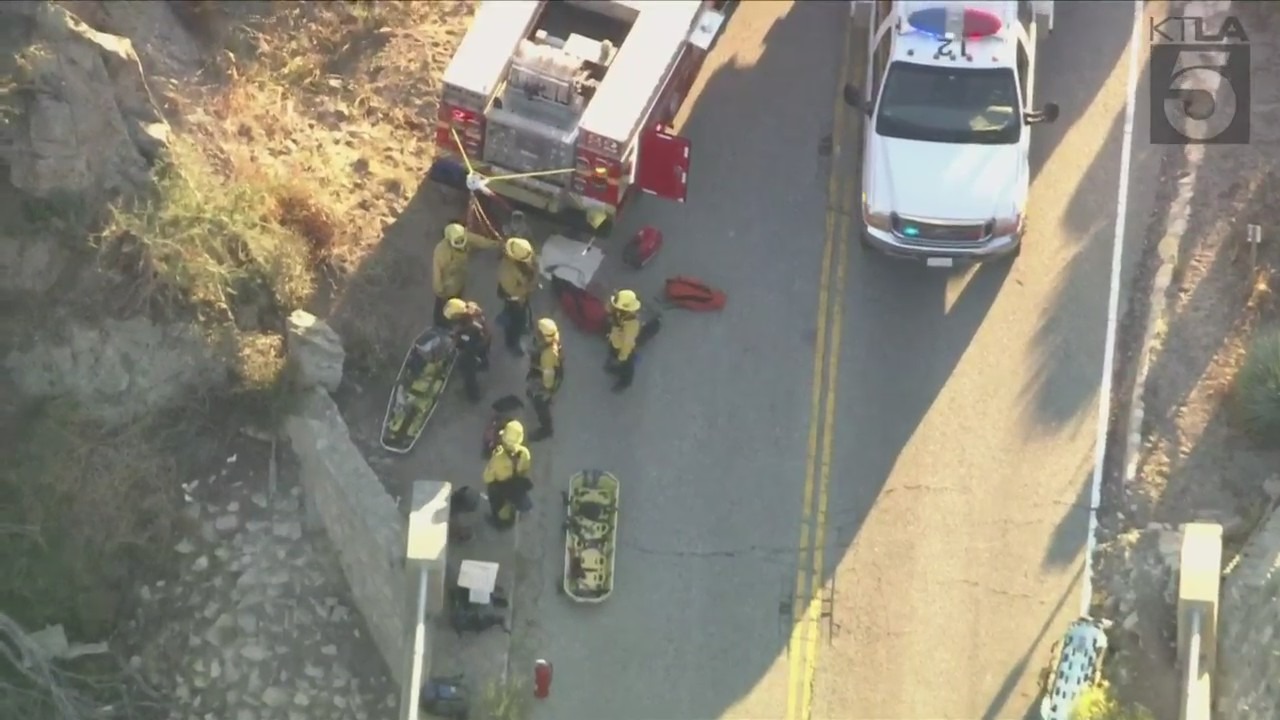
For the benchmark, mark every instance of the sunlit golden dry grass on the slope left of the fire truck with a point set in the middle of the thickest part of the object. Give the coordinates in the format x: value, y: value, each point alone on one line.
x: 341, y: 98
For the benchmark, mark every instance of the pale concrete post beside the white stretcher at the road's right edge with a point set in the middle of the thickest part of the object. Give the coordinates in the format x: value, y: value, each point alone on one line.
x: 1199, y: 586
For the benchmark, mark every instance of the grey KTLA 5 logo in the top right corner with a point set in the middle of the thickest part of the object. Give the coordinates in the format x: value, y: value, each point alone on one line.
x: 1200, y: 83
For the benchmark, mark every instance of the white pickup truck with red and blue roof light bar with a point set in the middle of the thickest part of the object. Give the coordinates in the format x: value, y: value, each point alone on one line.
x: 949, y: 102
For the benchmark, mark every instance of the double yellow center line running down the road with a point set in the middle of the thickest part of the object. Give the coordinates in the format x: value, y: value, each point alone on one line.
x: 811, y: 571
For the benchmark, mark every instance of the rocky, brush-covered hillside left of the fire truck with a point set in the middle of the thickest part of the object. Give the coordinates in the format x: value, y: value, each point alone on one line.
x: 175, y: 180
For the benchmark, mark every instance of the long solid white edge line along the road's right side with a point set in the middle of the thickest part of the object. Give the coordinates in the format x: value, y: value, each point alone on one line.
x: 1109, y: 350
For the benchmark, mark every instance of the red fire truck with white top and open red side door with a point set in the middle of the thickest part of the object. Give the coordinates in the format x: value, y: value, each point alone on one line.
x: 566, y: 106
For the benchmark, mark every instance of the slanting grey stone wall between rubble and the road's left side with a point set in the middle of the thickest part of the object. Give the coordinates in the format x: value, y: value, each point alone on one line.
x: 363, y: 521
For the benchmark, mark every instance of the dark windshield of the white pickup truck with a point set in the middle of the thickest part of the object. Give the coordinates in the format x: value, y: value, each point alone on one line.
x: 943, y: 104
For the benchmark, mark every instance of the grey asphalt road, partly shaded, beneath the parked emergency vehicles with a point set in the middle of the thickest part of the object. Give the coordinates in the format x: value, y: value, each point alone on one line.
x: 962, y: 435
